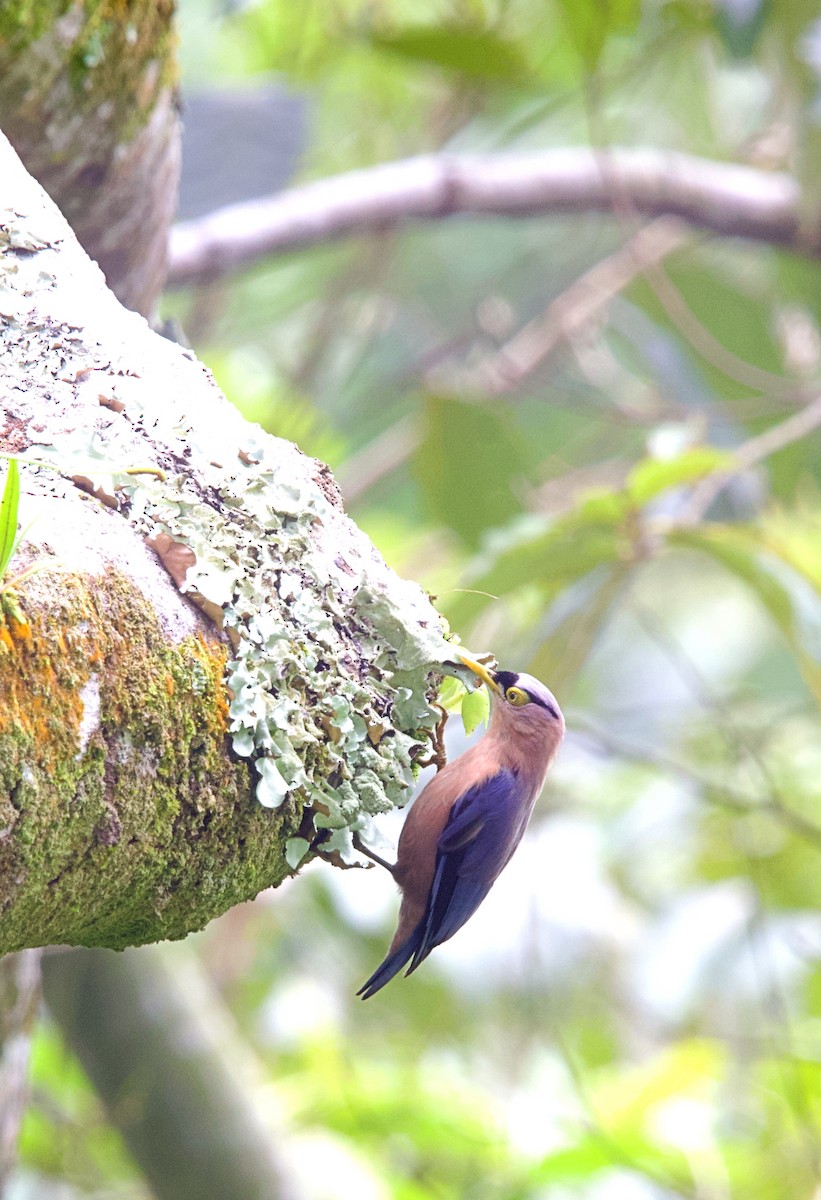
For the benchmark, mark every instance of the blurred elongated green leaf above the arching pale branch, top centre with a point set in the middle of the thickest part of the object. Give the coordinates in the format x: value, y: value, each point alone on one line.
x: 475, y: 53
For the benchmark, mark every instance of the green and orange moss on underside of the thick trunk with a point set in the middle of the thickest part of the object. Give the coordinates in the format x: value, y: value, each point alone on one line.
x: 147, y: 831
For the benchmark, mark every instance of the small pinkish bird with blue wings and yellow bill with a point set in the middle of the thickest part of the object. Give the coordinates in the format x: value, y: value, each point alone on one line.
x: 470, y: 819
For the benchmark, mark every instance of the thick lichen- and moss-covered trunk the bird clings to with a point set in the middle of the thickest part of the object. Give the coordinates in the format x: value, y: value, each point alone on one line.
x: 131, y: 773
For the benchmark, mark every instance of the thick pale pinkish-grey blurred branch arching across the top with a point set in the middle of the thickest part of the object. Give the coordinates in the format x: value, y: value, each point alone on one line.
x: 726, y: 199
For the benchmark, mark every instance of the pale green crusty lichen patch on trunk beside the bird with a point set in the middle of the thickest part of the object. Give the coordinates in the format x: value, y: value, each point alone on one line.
x: 335, y: 658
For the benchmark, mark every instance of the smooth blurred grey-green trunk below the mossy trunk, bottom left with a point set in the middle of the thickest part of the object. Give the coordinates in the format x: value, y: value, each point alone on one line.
x: 176, y: 1078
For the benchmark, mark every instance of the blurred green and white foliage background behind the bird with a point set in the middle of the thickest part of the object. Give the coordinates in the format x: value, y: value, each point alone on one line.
x: 637, y: 1011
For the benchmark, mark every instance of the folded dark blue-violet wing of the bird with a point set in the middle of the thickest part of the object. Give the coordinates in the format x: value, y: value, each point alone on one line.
x: 476, y: 844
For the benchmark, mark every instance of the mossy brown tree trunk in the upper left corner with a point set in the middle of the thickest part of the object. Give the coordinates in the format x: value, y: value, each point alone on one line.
x: 88, y: 100
